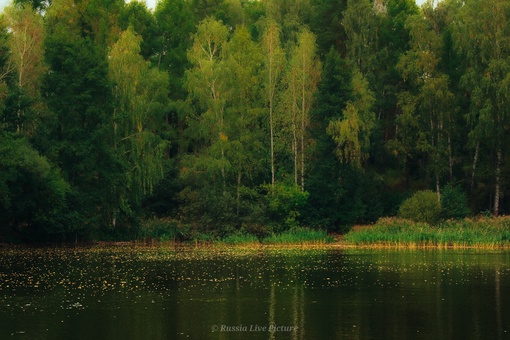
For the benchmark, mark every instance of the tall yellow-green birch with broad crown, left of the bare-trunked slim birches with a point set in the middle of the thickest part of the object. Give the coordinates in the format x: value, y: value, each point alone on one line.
x: 205, y: 171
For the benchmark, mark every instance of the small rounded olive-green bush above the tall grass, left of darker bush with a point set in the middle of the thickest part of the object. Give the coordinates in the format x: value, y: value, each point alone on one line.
x: 423, y: 206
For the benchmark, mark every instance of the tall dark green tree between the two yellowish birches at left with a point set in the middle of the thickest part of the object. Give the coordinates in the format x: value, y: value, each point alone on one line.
x: 78, y: 95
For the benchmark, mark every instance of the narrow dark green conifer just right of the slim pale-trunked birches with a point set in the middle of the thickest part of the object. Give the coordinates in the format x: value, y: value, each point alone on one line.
x: 327, y: 189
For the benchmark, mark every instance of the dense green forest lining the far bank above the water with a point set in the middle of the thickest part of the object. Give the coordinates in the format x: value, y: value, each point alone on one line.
x: 227, y: 116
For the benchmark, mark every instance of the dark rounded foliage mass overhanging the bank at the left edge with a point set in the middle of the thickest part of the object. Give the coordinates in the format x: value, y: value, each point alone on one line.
x: 32, y: 192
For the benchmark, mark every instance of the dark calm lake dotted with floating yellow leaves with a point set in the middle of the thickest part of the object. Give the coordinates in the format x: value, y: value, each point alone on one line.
x: 260, y: 293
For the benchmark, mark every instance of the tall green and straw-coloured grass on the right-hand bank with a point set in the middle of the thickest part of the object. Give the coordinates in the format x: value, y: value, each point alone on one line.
x: 484, y: 232
